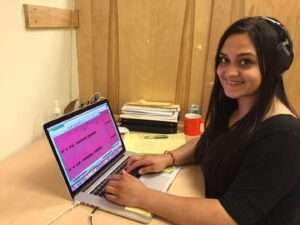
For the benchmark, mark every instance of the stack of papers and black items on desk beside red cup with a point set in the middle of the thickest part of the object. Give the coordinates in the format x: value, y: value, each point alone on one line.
x: 155, y: 117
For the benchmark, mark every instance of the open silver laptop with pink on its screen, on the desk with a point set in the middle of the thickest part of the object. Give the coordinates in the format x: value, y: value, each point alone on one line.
x: 88, y: 148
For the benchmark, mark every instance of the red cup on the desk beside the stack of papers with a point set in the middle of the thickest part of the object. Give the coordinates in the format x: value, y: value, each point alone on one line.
x: 192, y: 124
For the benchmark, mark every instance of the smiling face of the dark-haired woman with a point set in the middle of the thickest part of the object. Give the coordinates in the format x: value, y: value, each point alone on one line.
x: 238, y: 69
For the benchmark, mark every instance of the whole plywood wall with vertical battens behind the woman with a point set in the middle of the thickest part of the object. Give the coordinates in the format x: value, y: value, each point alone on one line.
x: 164, y: 50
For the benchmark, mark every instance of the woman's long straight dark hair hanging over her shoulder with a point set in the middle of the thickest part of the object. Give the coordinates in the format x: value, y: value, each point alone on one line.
x: 220, y: 149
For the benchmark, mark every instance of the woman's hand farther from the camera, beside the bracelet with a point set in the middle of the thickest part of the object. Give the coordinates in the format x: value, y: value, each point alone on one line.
x: 148, y: 163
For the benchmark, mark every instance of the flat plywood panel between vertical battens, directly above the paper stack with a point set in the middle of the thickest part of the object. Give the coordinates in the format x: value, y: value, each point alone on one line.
x: 150, y: 35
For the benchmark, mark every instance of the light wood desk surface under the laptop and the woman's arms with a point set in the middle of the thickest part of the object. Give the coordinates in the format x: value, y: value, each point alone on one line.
x: 32, y: 191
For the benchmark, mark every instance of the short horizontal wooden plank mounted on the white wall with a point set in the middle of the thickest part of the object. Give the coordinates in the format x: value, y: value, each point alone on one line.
x: 39, y: 17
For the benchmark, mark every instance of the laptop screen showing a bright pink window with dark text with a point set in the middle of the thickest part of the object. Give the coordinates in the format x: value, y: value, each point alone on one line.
x: 85, y: 143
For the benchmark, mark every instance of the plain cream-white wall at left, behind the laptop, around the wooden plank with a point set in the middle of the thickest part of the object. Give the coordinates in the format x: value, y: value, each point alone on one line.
x: 36, y: 68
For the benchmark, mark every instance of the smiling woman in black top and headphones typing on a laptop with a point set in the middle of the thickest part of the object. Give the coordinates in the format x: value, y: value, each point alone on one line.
x: 250, y: 150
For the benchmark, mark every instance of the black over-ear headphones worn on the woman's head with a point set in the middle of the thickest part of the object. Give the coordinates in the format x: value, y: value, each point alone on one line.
x: 285, y: 46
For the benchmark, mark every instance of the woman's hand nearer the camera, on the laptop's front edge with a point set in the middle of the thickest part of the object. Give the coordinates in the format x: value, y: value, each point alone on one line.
x: 125, y: 189
